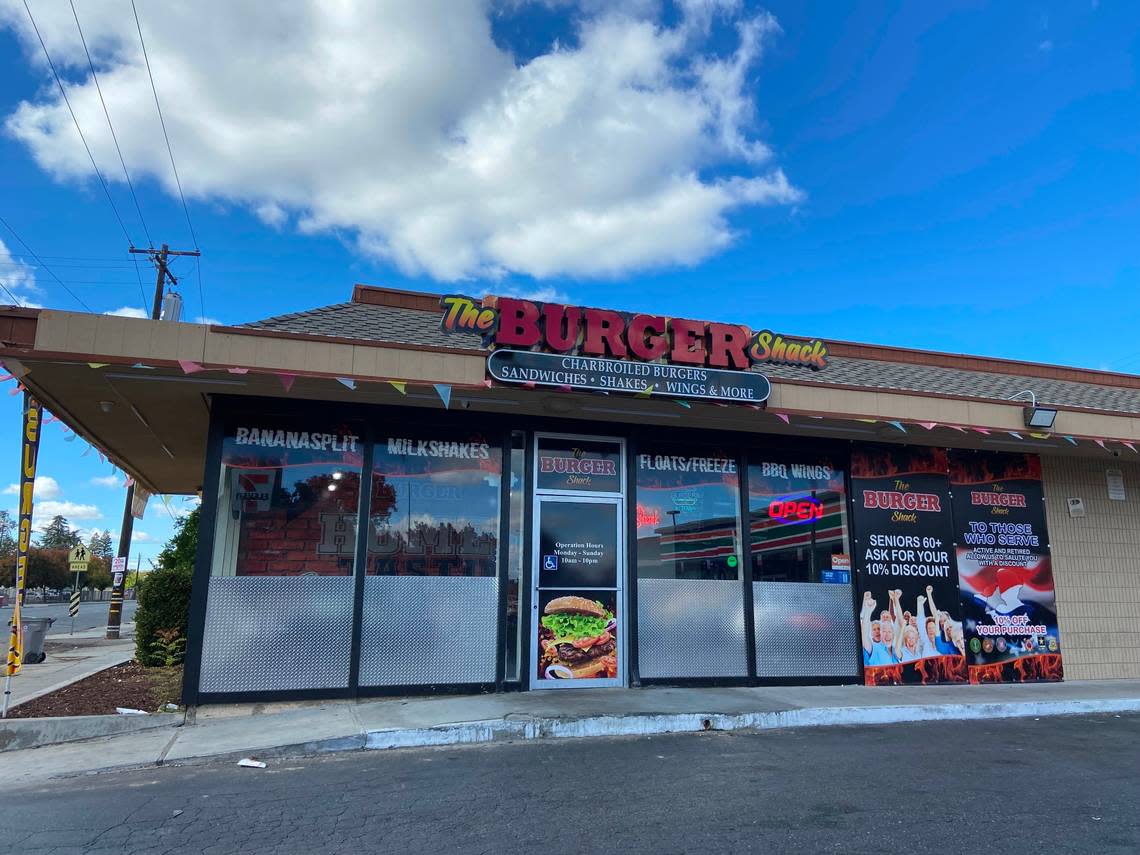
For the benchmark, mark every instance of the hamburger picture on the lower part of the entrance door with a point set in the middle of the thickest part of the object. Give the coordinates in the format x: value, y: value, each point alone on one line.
x: 576, y: 638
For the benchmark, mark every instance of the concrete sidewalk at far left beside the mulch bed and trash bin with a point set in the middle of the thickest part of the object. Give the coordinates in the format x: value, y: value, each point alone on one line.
x: 71, y: 658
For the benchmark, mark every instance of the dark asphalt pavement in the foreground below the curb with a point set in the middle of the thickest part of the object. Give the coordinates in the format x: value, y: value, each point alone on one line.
x: 1061, y: 785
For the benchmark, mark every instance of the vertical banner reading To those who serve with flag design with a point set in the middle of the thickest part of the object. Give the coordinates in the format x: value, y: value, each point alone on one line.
x: 1007, y: 581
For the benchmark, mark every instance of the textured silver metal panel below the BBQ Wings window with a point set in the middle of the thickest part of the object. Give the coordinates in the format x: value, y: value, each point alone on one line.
x: 805, y: 630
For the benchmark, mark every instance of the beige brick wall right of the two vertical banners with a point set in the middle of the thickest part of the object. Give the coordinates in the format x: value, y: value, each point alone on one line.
x: 1096, y: 567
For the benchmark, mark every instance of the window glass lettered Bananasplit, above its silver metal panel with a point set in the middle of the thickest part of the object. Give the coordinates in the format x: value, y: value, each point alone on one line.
x: 288, y: 502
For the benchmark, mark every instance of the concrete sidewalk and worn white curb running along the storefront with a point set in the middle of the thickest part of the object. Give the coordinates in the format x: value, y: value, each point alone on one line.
x: 283, y: 730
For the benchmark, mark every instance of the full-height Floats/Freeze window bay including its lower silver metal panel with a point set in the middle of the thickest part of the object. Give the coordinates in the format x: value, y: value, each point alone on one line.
x: 690, y: 600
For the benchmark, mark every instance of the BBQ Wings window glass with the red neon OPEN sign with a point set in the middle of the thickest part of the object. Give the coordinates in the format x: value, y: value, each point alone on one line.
x: 799, y: 522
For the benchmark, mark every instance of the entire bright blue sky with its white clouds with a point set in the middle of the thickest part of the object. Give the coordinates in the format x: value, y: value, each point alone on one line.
x: 957, y: 176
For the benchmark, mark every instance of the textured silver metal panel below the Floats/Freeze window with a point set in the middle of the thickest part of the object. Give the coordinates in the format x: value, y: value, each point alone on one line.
x: 691, y: 629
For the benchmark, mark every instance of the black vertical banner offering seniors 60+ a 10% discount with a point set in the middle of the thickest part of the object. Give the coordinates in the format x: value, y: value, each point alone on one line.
x: 910, y: 615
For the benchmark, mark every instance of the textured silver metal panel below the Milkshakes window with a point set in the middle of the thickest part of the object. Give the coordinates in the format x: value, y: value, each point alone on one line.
x: 428, y: 630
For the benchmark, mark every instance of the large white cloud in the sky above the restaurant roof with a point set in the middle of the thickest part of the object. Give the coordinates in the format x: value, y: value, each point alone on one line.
x: 406, y: 127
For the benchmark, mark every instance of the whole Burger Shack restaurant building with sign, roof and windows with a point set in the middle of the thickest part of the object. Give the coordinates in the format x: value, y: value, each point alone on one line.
x: 532, y: 496
